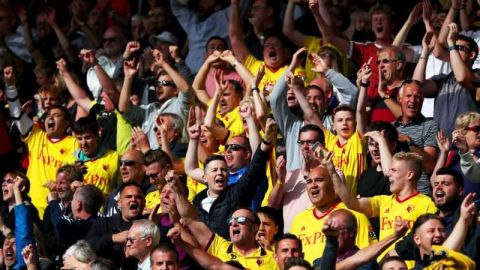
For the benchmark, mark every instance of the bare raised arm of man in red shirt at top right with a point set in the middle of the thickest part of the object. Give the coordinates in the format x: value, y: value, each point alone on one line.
x: 328, y: 33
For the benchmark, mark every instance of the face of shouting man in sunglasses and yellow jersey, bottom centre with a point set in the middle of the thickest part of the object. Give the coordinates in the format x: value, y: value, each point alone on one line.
x: 242, y: 233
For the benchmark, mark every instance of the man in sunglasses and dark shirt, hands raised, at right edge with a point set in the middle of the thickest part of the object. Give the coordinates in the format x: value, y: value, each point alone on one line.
x: 458, y: 90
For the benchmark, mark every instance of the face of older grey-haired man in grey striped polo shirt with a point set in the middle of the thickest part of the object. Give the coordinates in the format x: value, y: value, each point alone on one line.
x: 411, y: 100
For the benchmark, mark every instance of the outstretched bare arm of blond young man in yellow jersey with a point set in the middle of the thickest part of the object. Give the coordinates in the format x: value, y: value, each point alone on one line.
x: 361, y: 205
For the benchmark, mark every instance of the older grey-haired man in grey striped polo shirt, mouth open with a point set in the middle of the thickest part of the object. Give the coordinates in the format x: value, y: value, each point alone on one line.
x: 416, y: 132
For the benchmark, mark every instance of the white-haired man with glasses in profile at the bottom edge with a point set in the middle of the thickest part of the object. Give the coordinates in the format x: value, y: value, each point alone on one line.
x: 142, y: 237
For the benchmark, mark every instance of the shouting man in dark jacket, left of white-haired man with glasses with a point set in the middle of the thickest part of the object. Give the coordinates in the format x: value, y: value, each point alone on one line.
x: 108, y: 235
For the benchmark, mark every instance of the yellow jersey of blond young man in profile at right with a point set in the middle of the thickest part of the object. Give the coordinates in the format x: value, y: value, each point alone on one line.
x: 390, y: 208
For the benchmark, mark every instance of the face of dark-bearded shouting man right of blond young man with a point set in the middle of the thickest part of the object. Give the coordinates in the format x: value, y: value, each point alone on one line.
x: 446, y: 190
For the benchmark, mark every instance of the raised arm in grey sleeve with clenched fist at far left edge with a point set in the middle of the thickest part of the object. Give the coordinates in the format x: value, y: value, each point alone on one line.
x: 22, y: 121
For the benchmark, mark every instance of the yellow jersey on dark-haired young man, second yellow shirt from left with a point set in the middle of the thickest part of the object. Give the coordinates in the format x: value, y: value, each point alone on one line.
x: 102, y: 172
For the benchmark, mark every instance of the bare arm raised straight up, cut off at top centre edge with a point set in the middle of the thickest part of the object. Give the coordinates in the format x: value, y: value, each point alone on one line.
x: 236, y: 34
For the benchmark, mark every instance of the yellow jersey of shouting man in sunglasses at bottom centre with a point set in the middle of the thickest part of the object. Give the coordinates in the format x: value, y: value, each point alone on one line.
x: 225, y: 250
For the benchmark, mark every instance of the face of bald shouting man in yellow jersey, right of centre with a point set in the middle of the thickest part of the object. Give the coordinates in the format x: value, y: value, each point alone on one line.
x: 319, y: 187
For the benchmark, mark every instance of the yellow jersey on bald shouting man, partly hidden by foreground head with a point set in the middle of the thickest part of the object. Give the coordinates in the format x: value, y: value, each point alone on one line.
x: 307, y: 226
